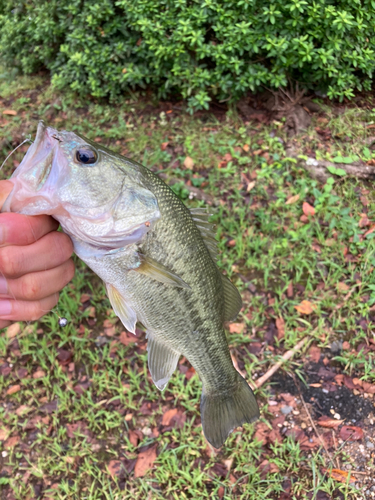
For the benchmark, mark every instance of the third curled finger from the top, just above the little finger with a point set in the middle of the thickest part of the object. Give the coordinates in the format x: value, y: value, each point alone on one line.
x: 36, y: 286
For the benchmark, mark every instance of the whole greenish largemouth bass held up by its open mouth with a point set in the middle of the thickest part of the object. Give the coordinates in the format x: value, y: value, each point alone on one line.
x: 156, y: 258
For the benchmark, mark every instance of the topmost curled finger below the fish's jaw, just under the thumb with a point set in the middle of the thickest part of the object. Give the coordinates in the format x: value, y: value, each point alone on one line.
x: 17, y: 229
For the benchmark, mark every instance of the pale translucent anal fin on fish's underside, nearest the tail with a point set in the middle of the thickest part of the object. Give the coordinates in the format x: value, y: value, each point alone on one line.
x: 162, y: 361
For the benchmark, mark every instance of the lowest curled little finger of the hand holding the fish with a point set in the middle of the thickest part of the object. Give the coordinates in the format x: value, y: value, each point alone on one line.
x: 20, y: 310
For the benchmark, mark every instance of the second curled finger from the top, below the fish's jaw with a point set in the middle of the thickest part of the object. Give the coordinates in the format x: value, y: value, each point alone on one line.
x: 50, y: 251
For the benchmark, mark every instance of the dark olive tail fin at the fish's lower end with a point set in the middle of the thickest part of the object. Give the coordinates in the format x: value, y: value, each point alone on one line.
x: 221, y: 414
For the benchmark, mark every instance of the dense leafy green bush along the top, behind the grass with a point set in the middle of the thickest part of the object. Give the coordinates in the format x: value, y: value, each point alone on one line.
x: 197, y: 48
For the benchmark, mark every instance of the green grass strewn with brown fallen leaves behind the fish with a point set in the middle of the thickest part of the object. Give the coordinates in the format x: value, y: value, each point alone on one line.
x: 262, y: 242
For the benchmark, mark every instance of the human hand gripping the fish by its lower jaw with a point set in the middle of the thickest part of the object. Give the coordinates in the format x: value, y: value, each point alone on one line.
x: 35, y: 263
